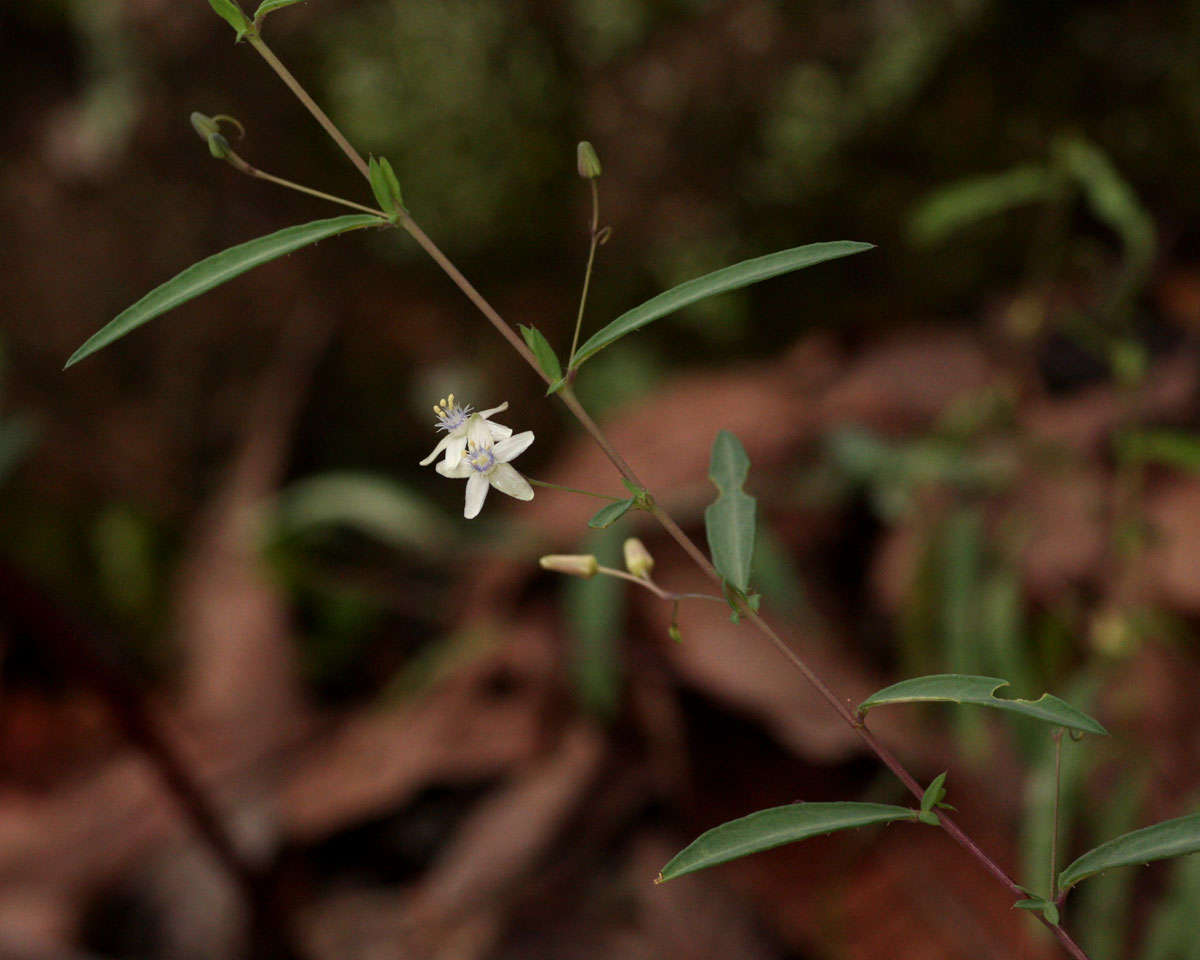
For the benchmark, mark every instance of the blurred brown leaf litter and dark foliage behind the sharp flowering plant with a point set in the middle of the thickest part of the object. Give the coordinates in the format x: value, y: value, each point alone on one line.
x: 974, y: 451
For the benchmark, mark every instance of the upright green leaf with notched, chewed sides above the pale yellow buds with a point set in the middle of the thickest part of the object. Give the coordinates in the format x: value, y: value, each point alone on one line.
x: 729, y: 521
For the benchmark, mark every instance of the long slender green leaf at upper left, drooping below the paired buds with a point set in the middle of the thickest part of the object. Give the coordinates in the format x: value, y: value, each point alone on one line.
x: 215, y: 271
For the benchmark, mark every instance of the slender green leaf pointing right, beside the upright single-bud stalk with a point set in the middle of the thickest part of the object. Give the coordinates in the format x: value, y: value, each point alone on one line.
x: 721, y: 281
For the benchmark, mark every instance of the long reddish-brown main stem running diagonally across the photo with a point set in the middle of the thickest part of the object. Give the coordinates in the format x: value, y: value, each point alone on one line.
x: 569, y: 399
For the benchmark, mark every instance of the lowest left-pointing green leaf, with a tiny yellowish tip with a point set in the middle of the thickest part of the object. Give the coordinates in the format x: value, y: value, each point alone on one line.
x: 775, y: 827
